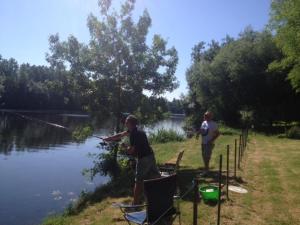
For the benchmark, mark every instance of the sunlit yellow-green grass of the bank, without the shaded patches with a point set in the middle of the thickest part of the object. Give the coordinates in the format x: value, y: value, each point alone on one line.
x: 269, y: 171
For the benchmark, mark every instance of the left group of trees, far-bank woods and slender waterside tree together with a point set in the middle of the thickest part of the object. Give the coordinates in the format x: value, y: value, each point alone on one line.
x: 109, y: 75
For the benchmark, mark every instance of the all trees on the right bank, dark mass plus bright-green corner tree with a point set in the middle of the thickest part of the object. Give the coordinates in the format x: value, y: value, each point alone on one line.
x: 253, y: 79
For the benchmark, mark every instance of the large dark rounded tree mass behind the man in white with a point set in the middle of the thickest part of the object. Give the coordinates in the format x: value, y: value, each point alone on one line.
x: 231, y: 79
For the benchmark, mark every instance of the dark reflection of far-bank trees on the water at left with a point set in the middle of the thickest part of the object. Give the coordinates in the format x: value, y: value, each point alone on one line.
x: 20, y: 134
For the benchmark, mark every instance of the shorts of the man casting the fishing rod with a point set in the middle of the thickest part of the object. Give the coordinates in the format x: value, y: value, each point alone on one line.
x: 146, y: 169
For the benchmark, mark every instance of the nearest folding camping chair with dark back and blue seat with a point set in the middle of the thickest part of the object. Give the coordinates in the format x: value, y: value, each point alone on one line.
x: 159, y: 203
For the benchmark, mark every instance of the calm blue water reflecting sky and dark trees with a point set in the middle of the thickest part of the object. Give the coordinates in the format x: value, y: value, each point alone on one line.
x: 41, y: 167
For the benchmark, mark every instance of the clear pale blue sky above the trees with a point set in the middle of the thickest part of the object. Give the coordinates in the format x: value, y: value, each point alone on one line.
x: 25, y: 25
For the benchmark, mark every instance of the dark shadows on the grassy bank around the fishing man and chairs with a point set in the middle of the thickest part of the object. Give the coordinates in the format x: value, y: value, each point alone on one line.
x: 121, y: 186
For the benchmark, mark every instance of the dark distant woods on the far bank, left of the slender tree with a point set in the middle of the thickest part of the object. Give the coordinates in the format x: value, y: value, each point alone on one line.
x: 30, y: 87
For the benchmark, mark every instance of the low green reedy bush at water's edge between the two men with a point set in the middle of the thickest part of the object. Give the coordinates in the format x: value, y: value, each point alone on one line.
x: 163, y: 136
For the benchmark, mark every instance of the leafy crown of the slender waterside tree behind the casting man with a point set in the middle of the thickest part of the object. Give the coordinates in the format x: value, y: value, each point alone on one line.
x: 117, y: 59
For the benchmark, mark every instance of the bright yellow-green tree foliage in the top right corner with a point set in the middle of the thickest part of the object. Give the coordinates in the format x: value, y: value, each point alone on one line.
x: 285, y: 17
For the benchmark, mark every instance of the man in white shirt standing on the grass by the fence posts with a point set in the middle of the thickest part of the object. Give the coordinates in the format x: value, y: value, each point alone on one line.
x: 209, y: 132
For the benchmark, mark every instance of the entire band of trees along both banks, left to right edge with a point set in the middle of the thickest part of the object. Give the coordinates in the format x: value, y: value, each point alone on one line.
x: 252, y: 79
